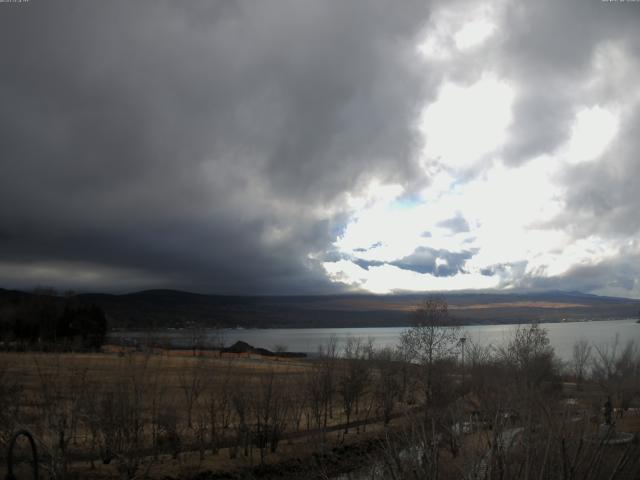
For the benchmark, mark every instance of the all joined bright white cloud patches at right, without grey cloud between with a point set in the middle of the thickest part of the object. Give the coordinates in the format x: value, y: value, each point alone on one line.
x: 511, y: 212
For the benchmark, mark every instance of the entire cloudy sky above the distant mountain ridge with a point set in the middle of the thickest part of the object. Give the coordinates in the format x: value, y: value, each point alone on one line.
x: 307, y: 147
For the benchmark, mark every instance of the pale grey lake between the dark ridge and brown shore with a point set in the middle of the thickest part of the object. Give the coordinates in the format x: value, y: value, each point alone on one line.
x: 307, y: 340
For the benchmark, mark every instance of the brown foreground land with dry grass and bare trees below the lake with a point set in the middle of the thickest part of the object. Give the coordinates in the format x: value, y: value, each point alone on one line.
x: 437, y: 407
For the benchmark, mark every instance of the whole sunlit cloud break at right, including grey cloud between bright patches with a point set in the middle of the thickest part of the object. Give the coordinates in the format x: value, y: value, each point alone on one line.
x: 511, y: 149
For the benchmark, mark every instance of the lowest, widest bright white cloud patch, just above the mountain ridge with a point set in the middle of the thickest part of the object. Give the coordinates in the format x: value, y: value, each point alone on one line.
x: 508, y: 210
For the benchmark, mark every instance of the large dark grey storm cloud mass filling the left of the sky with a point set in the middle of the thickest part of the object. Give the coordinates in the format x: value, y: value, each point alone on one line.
x: 204, y: 145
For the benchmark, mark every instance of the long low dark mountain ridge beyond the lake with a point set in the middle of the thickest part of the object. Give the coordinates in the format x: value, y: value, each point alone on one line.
x: 174, y: 308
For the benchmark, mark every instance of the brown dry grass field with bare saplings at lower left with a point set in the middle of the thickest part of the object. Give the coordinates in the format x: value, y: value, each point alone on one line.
x: 189, y: 413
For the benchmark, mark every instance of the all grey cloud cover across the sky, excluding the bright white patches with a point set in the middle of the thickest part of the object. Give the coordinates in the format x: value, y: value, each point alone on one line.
x: 212, y: 145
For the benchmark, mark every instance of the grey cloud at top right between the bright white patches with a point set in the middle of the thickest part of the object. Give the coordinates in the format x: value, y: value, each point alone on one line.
x: 548, y: 48
